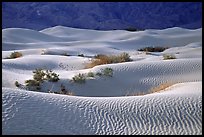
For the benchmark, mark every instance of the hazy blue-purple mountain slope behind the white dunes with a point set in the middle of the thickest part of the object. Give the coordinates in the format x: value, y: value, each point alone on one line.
x: 102, y: 15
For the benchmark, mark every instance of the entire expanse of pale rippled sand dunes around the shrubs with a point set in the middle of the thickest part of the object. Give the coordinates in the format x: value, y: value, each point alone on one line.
x: 104, y: 108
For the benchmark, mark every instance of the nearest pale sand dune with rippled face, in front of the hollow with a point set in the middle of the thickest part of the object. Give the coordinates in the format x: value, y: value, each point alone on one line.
x: 160, y: 113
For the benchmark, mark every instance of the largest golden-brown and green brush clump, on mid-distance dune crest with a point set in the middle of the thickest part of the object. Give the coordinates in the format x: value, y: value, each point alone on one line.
x: 104, y: 59
